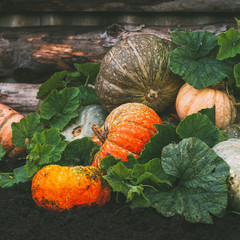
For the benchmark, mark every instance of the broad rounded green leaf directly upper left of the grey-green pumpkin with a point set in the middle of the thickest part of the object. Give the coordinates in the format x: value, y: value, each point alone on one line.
x: 60, y: 107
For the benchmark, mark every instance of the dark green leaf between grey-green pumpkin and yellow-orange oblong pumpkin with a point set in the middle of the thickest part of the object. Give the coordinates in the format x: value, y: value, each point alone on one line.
x: 78, y: 152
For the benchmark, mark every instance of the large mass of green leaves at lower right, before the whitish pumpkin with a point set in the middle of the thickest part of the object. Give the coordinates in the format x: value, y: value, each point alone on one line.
x: 177, y: 172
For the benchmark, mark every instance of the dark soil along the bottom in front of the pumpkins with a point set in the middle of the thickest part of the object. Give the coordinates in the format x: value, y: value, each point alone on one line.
x: 21, y: 218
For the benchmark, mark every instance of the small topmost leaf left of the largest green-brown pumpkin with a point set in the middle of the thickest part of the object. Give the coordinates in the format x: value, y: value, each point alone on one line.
x: 89, y: 71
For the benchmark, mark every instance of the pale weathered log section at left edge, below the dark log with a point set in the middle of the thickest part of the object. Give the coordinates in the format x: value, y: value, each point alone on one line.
x: 19, y: 96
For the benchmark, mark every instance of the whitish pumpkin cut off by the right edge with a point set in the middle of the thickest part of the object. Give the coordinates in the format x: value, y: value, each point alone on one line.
x: 229, y: 151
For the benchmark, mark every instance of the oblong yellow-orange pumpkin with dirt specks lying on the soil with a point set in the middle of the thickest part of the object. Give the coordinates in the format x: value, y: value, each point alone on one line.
x: 58, y: 188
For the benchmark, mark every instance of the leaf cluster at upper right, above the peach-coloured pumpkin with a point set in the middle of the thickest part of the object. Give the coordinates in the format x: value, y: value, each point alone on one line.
x: 203, y: 59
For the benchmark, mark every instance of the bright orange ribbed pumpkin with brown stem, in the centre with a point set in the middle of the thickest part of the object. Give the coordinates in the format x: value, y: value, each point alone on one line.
x: 126, y: 130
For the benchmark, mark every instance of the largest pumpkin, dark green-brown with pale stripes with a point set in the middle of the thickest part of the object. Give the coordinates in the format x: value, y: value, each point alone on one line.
x: 137, y: 70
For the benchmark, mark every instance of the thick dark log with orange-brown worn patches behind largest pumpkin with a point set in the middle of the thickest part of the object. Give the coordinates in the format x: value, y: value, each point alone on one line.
x: 33, y: 55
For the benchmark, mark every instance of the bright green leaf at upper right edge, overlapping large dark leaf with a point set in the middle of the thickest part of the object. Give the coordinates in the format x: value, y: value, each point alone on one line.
x: 229, y: 42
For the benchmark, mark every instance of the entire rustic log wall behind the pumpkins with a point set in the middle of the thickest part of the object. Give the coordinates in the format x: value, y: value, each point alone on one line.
x: 40, y: 37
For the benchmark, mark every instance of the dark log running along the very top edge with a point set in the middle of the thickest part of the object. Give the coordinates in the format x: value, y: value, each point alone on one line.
x: 124, y: 5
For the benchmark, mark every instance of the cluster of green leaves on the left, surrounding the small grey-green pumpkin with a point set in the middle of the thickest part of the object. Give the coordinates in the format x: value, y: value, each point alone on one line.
x: 62, y: 94
